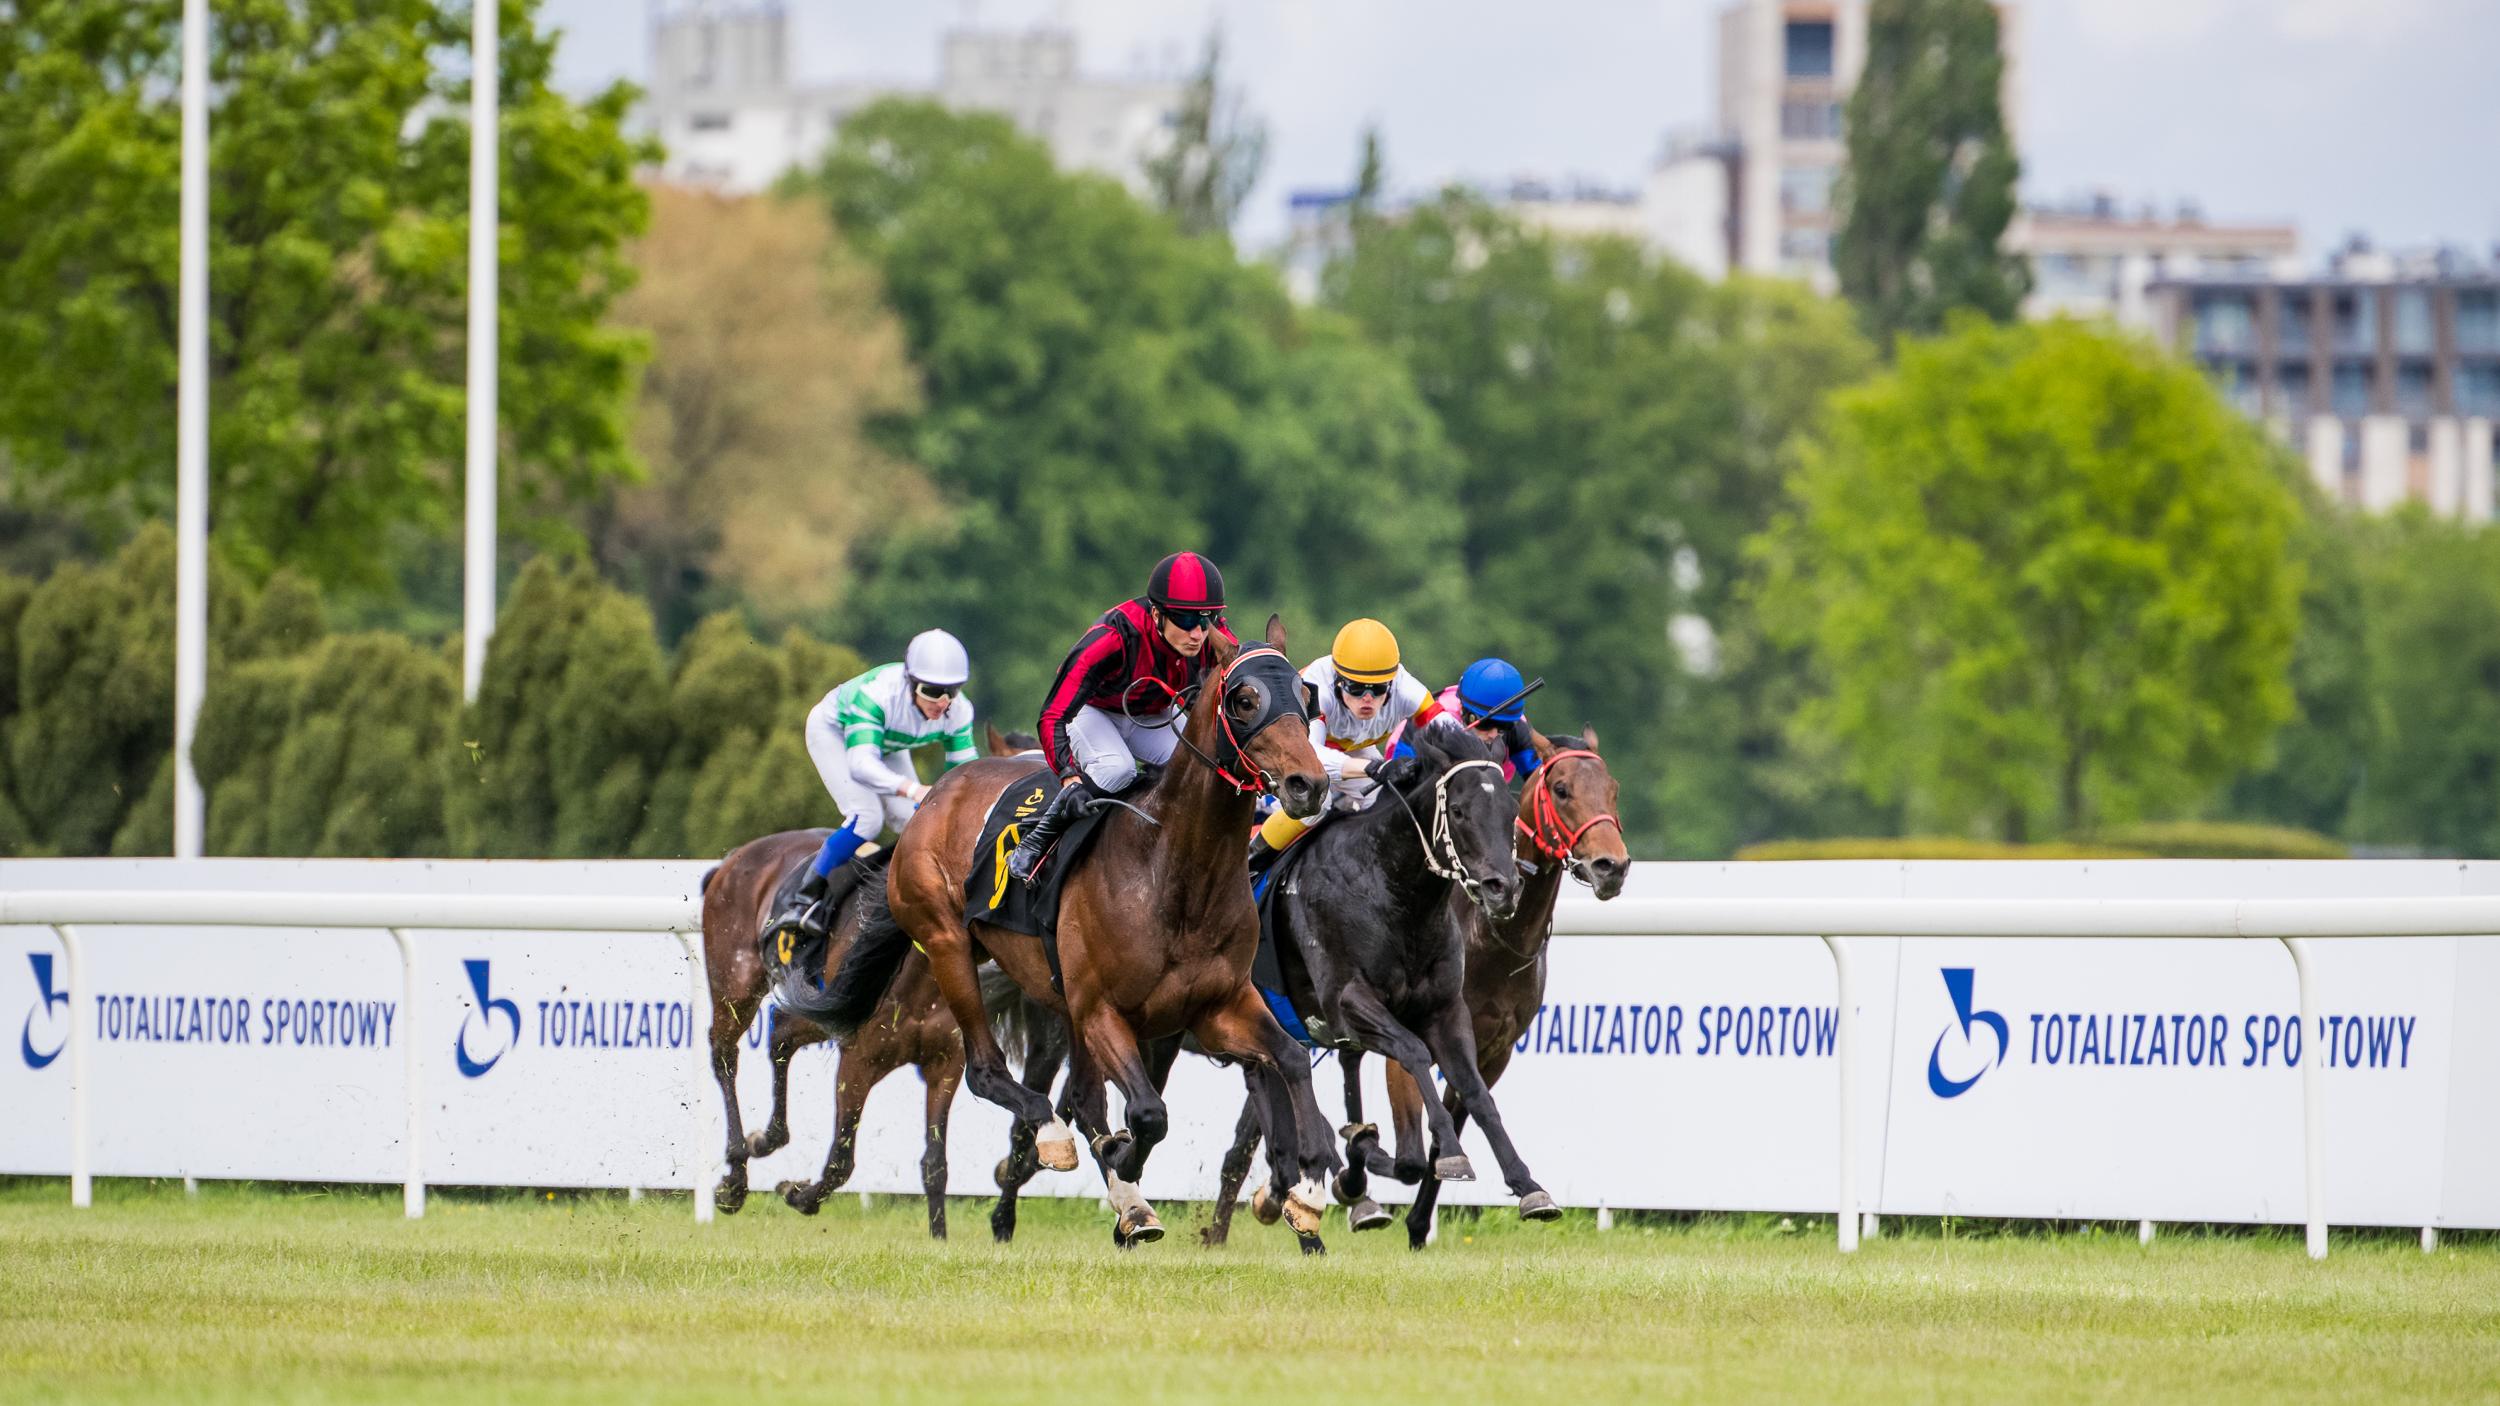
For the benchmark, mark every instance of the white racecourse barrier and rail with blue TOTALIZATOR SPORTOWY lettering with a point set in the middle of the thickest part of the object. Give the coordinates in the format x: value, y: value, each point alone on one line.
x: 541, y: 1024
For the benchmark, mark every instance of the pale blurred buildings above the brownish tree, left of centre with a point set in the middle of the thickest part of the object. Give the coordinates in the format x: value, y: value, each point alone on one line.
x: 726, y: 109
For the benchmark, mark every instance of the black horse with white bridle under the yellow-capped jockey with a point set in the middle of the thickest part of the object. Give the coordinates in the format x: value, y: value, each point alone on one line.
x: 1371, y: 952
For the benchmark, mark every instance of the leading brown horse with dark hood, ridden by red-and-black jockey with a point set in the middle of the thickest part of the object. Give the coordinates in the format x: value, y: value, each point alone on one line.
x: 1156, y: 934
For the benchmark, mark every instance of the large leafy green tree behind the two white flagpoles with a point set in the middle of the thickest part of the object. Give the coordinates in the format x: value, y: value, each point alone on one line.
x: 339, y: 224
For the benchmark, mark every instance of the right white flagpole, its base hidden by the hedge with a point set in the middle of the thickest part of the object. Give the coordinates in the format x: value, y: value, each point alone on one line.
x: 479, y: 599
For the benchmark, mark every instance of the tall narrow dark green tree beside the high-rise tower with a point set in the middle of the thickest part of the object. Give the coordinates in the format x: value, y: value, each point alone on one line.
x: 1931, y: 174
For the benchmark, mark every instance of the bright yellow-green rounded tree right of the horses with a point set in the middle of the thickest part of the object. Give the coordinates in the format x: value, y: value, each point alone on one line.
x: 2046, y: 577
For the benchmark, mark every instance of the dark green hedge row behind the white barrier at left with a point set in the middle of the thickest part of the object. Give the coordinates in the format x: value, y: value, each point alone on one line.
x: 586, y: 737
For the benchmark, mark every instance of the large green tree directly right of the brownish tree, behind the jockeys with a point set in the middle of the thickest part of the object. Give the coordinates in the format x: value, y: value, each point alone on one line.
x: 1101, y: 392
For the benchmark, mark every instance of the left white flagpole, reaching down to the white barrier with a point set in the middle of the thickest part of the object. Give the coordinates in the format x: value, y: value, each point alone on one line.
x: 191, y: 444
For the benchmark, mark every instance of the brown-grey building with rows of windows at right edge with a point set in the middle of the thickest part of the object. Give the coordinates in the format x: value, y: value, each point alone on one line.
x: 2384, y: 374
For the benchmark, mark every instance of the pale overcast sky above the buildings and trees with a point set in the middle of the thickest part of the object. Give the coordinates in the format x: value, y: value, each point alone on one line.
x: 2376, y: 116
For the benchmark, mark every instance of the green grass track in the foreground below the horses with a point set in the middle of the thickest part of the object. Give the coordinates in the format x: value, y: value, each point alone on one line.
x: 281, y: 1295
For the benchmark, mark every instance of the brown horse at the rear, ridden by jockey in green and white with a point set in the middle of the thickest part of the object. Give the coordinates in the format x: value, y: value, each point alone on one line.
x: 909, y: 1027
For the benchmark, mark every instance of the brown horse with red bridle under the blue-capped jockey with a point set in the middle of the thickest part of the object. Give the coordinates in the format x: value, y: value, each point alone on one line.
x: 1571, y: 827
